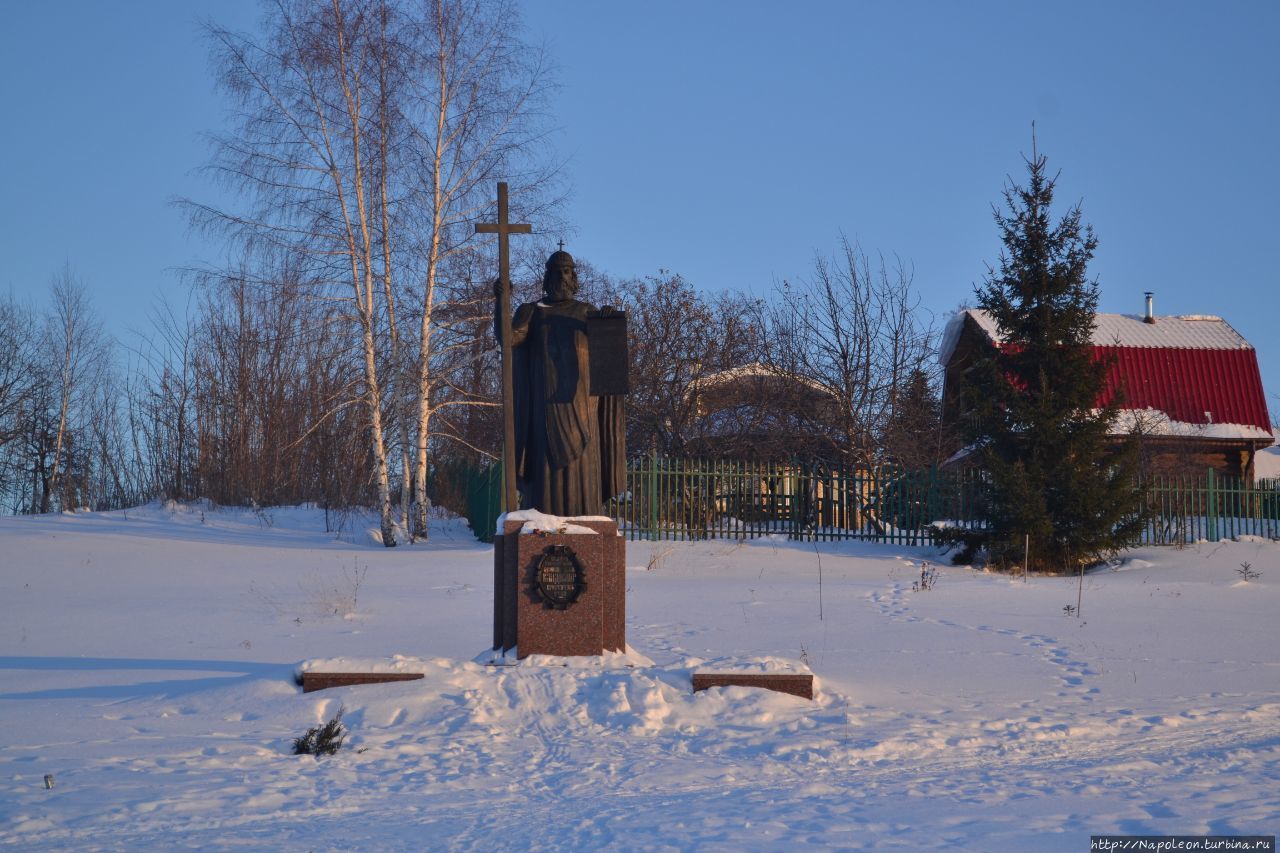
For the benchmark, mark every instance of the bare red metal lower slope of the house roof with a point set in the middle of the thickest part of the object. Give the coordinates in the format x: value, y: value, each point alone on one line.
x: 1187, y: 384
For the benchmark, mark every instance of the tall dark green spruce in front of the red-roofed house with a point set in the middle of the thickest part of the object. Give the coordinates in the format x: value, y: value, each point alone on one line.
x: 1055, y: 473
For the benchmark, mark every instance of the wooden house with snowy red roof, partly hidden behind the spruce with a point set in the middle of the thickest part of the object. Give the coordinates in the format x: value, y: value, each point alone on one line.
x: 1190, y: 386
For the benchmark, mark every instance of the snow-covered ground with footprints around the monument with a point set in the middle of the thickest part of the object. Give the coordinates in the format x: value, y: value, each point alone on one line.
x: 148, y: 663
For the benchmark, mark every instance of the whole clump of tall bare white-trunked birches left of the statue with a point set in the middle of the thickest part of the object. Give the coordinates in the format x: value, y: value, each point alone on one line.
x: 369, y: 136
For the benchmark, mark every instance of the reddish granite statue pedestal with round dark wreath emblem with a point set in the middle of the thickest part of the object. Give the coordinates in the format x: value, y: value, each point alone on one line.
x: 560, y: 586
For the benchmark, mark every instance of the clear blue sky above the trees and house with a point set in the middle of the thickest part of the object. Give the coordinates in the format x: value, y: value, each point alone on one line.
x: 730, y: 142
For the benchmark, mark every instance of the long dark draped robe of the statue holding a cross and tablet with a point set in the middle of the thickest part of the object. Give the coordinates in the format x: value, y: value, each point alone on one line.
x: 570, y: 445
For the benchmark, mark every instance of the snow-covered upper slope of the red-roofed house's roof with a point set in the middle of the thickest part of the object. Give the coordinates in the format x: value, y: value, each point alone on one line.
x: 1185, y: 332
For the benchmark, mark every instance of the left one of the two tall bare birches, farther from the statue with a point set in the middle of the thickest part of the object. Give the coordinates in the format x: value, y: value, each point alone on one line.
x: 305, y: 156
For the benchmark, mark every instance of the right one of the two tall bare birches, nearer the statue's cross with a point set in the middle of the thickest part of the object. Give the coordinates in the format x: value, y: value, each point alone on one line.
x: 477, y: 98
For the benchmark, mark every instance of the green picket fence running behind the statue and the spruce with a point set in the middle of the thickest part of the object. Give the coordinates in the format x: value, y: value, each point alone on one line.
x: 684, y: 499
